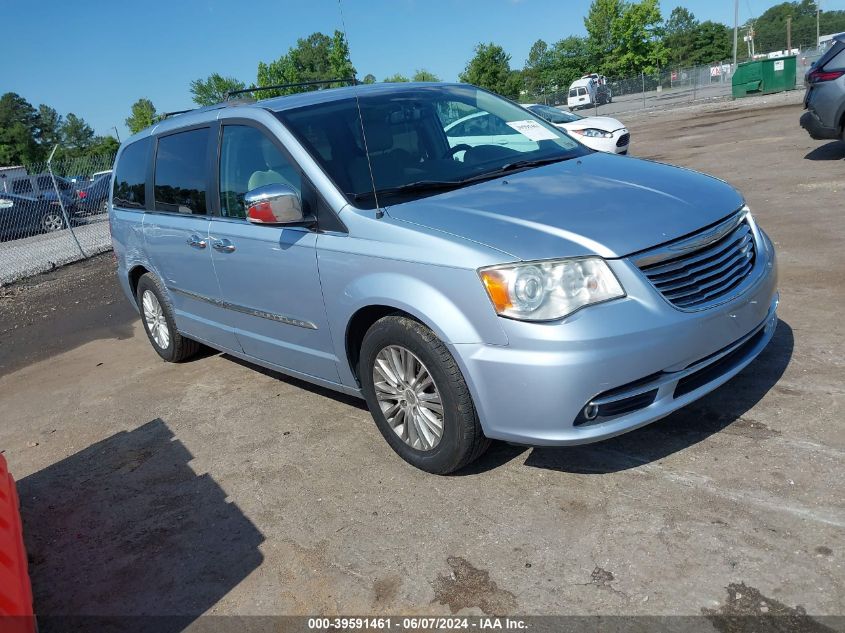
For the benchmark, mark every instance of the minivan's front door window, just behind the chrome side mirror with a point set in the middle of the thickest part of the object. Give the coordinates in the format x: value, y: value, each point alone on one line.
x: 248, y: 160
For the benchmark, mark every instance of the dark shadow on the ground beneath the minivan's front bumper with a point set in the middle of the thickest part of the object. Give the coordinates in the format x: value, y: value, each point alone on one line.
x: 686, y: 427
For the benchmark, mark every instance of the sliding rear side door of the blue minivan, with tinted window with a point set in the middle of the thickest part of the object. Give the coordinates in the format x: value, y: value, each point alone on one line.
x: 176, y: 235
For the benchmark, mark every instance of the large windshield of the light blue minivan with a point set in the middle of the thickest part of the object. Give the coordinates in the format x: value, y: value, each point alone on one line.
x: 423, y: 139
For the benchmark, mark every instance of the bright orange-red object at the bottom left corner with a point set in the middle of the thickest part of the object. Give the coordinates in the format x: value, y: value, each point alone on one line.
x: 15, y: 591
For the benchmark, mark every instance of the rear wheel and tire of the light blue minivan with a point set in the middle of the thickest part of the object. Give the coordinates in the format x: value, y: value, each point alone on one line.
x: 158, y: 312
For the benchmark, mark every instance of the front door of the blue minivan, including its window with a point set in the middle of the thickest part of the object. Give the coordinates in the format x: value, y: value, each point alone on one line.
x: 268, y: 275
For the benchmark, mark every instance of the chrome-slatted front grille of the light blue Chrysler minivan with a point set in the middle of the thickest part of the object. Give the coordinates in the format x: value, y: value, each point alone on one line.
x: 706, y: 275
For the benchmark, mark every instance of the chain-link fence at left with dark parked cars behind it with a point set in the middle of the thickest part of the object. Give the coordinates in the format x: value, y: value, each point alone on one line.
x: 53, y: 213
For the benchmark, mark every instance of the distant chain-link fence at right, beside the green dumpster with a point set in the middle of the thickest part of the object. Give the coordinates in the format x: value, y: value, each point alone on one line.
x: 668, y: 88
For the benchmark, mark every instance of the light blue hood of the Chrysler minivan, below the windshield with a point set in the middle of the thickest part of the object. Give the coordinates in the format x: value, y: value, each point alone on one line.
x: 597, y: 204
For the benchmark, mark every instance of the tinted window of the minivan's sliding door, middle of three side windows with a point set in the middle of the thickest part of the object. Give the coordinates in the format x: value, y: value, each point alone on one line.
x: 180, y: 172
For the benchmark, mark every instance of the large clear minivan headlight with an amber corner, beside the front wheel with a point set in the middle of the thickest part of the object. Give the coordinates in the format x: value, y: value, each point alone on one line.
x: 543, y: 291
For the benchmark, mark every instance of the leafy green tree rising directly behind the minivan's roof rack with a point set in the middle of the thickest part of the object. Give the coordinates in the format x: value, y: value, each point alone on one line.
x: 314, y: 58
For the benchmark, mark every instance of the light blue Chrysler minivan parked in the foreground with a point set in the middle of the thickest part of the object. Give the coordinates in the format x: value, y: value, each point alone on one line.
x: 528, y: 290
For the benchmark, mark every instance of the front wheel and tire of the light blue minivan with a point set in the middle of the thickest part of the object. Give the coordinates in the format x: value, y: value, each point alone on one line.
x: 461, y: 439
